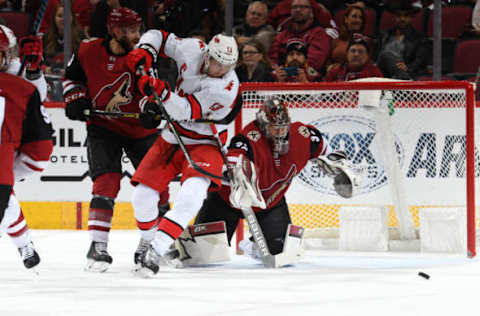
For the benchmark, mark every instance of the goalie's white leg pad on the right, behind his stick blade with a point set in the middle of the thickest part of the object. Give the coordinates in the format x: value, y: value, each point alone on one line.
x: 292, y: 253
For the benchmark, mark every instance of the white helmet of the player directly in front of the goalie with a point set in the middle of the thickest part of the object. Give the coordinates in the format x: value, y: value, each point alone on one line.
x: 223, y: 49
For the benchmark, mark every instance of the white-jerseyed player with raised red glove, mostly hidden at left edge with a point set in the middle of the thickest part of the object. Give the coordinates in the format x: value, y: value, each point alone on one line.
x: 29, y: 47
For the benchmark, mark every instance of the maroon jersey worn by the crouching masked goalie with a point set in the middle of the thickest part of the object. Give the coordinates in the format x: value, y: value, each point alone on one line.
x: 275, y: 175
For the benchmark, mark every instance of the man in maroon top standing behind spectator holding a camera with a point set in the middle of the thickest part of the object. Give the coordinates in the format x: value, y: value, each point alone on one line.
x: 302, y: 26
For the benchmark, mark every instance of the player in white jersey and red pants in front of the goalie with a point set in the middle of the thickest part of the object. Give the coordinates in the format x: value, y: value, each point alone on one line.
x: 207, y: 88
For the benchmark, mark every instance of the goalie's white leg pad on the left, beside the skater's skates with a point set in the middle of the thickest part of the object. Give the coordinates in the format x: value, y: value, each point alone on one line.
x: 203, y: 244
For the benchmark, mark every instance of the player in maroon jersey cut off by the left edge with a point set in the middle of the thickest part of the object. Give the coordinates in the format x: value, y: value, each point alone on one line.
x: 25, y: 147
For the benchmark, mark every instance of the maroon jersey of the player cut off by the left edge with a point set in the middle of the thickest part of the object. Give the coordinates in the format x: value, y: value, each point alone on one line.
x: 25, y: 127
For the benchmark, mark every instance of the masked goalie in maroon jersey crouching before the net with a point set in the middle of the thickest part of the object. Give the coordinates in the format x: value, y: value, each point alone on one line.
x: 279, y: 150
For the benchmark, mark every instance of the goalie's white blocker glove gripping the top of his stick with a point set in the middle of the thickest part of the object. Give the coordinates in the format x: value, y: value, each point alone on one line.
x: 245, y: 192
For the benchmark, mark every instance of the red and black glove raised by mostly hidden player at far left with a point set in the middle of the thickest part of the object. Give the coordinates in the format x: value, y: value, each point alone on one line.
x: 31, y: 48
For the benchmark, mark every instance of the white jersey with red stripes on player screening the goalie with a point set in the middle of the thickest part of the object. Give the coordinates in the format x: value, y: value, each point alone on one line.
x: 196, y: 94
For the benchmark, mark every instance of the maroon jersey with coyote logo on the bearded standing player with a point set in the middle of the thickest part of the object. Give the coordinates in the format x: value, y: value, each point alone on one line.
x: 111, y: 86
